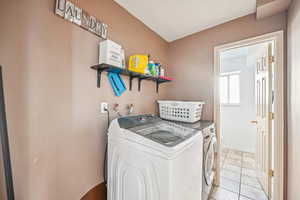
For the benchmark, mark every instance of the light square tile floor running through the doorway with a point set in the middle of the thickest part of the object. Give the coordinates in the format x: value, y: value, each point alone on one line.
x: 238, y: 178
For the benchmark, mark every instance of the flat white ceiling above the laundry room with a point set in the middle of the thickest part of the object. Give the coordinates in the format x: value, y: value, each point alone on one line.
x: 174, y: 19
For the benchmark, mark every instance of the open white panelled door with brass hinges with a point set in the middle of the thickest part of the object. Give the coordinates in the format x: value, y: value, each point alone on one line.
x: 264, y: 116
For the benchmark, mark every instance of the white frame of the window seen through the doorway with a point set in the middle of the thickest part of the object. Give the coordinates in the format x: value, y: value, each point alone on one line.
x: 227, y: 75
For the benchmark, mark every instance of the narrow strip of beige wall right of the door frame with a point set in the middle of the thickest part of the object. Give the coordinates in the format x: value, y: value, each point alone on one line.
x: 293, y: 100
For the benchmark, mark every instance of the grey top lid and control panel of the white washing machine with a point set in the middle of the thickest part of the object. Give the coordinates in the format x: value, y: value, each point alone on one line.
x: 163, y: 132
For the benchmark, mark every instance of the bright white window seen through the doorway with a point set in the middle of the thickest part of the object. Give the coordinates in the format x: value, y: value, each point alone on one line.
x: 230, y: 88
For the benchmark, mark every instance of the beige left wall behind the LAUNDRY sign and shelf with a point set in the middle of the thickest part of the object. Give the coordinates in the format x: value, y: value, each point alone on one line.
x: 56, y: 131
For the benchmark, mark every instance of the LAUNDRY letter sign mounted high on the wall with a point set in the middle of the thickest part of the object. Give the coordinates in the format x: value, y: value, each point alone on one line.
x: 78, y: 16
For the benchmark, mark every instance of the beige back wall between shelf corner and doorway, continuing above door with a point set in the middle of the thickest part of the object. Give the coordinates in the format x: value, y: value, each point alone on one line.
x: 191, y: 58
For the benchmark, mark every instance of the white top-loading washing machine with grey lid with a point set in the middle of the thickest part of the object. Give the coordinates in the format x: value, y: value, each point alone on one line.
x: 153, y: 159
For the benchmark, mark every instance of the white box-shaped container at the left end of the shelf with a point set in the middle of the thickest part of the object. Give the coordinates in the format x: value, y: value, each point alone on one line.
x: 110, y: 53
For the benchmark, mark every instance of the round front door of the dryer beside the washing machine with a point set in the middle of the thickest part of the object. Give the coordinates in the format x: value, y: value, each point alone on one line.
x: 209, y: 161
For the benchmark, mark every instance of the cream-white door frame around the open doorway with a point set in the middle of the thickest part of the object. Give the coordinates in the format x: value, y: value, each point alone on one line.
x: 279, y: 105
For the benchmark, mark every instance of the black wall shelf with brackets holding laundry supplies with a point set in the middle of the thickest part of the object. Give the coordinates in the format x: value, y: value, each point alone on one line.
x: 132, y: 75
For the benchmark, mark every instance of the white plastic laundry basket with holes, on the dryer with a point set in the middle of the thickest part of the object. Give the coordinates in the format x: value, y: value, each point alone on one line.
x: 184, y: 111
